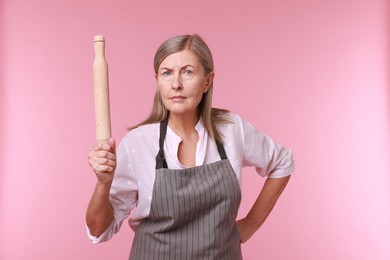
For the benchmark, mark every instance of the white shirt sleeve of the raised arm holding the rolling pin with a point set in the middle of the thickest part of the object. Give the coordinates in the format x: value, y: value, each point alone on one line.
x: 123, y: 193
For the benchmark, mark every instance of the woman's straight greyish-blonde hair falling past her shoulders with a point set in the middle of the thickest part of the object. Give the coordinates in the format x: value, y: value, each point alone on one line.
x: 210, y: 117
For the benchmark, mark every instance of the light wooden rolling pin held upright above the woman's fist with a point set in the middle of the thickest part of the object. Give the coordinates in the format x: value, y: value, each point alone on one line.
x: 101, y: 91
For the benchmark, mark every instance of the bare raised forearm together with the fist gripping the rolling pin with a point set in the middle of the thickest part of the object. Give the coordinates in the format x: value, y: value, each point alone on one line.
x: 100, y: 213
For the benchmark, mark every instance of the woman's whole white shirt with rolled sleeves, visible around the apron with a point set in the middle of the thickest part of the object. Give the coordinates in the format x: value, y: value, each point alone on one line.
x: 133, y: 182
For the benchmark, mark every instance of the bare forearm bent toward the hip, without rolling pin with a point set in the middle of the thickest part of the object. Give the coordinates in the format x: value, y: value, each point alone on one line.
x: 263, y: 205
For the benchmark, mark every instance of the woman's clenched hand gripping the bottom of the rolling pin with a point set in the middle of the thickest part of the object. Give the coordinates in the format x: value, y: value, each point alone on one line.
x: 102, y: 160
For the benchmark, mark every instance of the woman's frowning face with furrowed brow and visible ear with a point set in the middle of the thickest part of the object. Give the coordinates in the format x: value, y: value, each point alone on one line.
x: 181, y: 80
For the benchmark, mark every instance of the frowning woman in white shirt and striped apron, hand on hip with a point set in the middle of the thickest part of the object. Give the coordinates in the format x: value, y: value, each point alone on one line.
x: 180, y: 169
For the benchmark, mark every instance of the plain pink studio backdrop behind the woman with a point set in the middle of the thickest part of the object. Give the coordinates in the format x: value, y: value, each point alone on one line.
x: 312, y: 74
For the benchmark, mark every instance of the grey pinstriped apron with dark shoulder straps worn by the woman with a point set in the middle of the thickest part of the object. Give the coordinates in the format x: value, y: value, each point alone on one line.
x: 193, y: 212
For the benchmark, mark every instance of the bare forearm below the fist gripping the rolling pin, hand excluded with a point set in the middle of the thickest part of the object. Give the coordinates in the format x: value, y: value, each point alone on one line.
x: 100, y: 212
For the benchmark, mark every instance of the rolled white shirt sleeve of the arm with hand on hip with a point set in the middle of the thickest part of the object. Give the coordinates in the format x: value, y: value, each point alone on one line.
x: 268, y: 157
